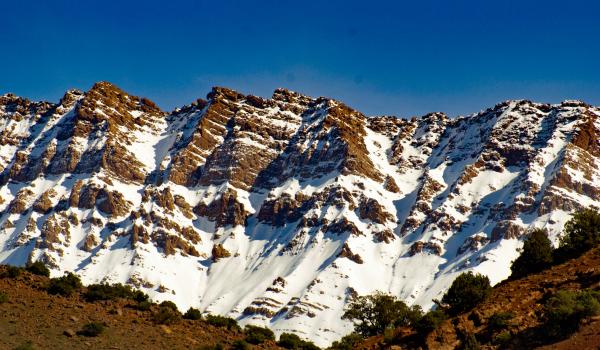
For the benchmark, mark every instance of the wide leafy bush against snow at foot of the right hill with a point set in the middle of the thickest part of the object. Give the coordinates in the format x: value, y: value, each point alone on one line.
x: 375, y: 313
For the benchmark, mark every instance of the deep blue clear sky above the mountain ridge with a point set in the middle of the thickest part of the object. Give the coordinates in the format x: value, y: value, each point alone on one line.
x: 381, y: 57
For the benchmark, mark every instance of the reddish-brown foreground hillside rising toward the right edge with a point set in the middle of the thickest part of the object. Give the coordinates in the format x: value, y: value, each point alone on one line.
x: 524, y: 299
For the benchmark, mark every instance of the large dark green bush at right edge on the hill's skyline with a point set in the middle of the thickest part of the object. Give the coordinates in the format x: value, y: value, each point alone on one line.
x: 581, y: 234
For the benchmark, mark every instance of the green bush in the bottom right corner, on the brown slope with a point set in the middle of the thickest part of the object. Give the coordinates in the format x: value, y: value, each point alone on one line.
x: 564, y: 311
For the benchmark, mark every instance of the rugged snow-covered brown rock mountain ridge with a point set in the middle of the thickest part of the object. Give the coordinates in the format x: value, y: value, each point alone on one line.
x: 279, y: 211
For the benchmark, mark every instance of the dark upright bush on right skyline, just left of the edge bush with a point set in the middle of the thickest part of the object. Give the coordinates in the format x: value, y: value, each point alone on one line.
x: 536, y: 254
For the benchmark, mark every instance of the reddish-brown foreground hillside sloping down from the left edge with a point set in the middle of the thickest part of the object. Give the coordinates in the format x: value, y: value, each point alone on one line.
x: 28, y: 314
